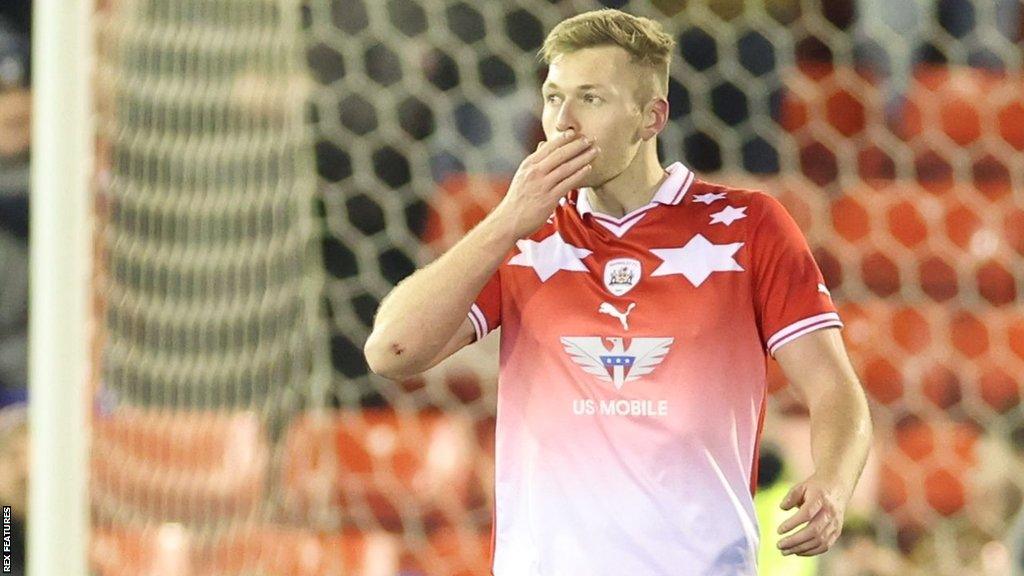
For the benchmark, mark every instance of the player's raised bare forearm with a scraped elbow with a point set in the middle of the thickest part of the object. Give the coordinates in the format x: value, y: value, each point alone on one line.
x: 424, y: 311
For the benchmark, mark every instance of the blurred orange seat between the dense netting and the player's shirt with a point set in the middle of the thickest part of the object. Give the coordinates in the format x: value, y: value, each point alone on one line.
x: 378, y: 468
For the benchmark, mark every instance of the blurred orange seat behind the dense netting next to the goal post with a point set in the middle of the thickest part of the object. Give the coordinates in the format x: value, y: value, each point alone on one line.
x: 174, y: 466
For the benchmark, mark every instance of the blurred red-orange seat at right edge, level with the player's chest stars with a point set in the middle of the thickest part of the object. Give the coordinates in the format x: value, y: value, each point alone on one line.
x: 957, y: 243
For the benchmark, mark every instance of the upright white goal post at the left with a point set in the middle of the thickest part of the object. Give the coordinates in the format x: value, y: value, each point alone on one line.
x: 61, y: 265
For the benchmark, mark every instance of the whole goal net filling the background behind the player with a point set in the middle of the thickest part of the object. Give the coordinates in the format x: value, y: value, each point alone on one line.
x: 892, y: 135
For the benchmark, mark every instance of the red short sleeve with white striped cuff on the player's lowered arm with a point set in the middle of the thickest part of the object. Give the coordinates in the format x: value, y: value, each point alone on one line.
x: 790, y: 293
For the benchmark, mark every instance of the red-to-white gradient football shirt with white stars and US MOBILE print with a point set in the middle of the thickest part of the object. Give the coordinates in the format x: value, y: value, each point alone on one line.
x: 633, y: 384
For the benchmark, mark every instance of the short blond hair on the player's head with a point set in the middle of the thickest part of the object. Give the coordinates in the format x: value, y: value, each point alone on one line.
x: 645, y: 39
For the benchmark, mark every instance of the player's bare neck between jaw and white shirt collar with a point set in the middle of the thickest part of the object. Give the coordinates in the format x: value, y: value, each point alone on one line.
x: 633, y: 188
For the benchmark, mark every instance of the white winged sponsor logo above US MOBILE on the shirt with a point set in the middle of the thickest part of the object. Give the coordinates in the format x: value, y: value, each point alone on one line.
x: 619, y: 365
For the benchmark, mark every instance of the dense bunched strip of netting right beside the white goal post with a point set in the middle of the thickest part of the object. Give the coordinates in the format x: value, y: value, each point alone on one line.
x: 208, y: 278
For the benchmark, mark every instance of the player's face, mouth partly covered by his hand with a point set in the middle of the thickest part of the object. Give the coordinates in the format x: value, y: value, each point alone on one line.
x: 594, y: 92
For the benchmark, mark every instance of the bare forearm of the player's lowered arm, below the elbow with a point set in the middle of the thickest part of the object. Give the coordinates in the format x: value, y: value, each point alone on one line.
x: 841, y: 436
